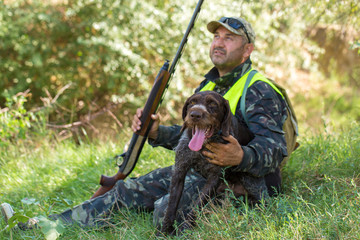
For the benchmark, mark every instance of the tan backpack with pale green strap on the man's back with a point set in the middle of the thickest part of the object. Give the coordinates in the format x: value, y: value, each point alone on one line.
x: 290, y: 126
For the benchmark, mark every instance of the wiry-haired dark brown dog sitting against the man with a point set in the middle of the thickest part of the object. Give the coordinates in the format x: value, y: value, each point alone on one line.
x: 207, y: 117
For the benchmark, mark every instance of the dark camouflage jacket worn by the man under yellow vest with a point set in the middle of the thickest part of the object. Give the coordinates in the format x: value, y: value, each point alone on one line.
x: 266, y: 113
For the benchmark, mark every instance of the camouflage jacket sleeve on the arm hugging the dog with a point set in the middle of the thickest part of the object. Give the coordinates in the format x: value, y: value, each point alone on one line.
x: 266, y: 112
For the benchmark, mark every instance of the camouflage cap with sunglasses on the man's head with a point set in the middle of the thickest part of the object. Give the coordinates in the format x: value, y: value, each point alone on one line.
x: 235, y: 25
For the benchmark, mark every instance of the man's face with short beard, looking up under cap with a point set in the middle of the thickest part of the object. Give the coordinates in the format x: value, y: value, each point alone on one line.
x: 228, y: 50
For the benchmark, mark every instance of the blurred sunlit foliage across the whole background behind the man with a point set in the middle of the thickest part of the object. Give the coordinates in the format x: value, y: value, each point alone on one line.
x: 110, y: 53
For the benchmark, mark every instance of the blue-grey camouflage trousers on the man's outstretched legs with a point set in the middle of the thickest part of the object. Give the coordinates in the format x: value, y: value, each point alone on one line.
x: 149, y: 193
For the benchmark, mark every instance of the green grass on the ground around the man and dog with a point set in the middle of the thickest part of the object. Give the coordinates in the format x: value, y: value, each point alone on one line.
x: 321, y: 198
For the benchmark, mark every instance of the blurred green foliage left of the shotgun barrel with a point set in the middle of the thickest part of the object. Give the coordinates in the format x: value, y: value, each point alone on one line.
x: 104, y: 48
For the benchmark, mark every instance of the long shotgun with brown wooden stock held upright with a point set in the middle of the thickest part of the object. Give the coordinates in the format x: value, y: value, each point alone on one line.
x: 155, y: 98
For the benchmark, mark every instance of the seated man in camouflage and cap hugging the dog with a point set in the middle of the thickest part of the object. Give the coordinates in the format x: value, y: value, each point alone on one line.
x: 230, y: 51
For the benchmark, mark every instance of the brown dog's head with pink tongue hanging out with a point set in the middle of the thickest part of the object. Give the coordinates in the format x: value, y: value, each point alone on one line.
x: 205, y: 114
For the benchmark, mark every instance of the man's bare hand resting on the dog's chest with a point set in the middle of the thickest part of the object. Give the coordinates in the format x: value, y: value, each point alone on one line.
x: 224, y: 155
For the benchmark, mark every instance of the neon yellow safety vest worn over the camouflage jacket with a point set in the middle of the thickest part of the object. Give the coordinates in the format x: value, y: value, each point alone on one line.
x: 235, y: 92
